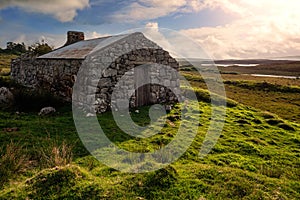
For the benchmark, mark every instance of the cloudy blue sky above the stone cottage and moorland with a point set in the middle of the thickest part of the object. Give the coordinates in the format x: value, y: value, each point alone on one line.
x: 226, y: 29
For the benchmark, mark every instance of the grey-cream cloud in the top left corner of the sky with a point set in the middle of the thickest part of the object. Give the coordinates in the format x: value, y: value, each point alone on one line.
x: 64, y: 11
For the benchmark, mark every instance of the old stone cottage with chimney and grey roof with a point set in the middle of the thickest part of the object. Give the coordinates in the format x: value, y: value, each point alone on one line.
x: 57, y: 71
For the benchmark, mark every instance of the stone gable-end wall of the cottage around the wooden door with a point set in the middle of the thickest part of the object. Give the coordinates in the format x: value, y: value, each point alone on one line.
x: 139, y: 51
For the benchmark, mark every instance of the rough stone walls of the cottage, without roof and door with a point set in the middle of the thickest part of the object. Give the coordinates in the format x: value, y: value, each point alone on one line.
x: 101, y: 72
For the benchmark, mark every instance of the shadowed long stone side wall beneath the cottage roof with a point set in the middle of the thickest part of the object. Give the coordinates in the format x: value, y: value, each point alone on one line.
x: 54, y: 76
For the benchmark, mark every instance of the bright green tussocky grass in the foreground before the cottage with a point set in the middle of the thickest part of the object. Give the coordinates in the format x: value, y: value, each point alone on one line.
x: 253, y: 159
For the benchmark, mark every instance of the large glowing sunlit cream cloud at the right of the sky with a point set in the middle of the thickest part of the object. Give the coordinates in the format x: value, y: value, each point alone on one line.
x: 263, y: 28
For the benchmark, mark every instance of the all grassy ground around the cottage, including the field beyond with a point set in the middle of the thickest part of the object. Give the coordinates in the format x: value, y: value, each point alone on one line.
x: 256, y: 156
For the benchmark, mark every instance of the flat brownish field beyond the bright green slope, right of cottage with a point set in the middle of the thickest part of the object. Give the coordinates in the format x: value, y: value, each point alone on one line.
x: 277, y: 97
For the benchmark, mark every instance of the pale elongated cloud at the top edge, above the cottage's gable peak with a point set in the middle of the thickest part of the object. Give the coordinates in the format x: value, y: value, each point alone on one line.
x: 152, y: 9
